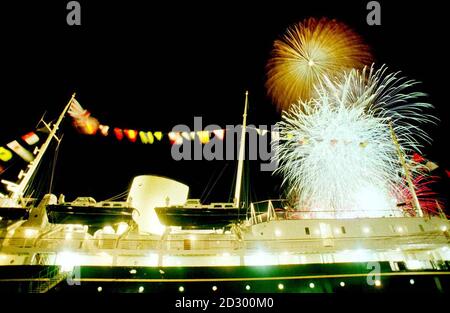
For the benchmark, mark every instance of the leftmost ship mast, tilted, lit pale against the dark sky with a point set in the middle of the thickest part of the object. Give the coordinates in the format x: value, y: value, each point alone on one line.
x: 18, y: 190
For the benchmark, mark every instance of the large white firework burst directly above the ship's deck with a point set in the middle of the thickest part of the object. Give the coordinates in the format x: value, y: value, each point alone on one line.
x: 336, y: 151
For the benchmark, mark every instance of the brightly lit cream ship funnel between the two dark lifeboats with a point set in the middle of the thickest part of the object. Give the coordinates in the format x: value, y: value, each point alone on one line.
x: 148, y: 192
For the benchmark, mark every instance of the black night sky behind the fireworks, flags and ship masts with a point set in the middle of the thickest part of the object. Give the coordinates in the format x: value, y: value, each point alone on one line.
x: 153, y: 66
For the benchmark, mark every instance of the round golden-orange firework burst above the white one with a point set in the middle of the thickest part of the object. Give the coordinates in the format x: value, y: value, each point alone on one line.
x: 308, y: 51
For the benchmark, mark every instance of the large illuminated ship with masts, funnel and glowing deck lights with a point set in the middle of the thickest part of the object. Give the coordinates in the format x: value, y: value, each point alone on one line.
x: 160, y: 241
